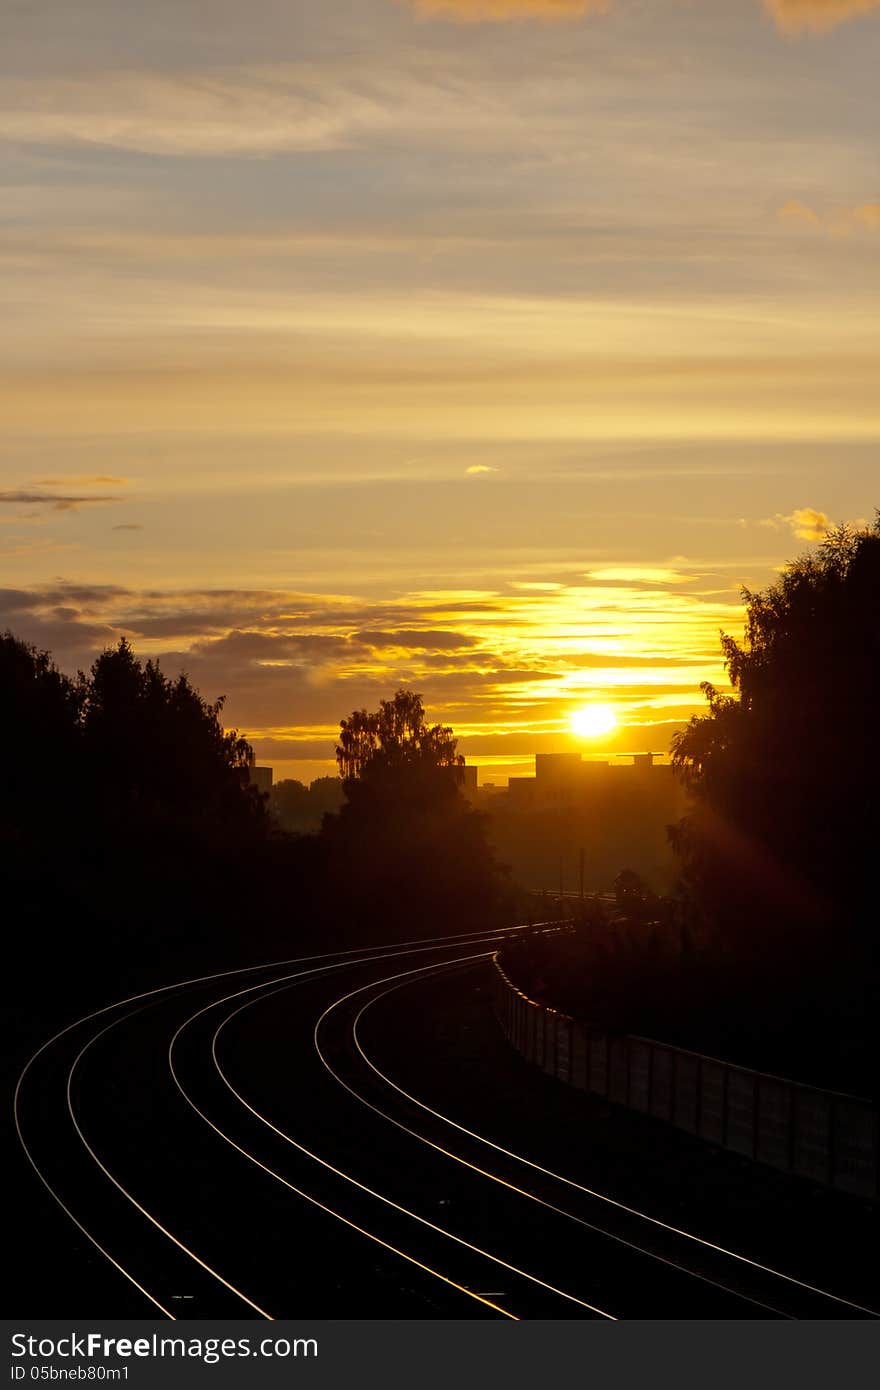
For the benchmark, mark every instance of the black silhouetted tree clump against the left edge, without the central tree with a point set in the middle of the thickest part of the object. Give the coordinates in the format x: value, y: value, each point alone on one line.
x: 129, y: 833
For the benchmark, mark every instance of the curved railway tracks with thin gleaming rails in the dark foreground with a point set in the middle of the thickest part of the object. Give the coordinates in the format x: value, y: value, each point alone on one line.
x: 230, y: 1147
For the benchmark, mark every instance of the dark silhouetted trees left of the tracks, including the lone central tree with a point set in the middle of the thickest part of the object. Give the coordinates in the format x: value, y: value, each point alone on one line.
x: 133, y: 847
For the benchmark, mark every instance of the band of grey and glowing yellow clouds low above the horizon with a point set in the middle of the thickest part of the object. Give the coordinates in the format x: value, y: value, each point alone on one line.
x: 293, y: 664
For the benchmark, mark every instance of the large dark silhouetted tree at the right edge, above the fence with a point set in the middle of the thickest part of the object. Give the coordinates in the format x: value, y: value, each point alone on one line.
x: 786, y: 774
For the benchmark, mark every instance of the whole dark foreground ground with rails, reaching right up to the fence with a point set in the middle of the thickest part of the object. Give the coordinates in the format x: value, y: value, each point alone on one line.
x: 251, y: 1154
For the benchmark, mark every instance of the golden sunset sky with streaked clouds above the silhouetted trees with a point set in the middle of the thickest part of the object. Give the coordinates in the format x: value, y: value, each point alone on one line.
x: 480, y: 347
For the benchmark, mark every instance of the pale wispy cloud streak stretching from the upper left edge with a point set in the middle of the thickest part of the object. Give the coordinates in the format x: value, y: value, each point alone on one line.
x: 247, y: 111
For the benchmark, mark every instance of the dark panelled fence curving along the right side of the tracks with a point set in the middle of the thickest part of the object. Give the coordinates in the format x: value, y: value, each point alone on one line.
x: 824, y: 1136
